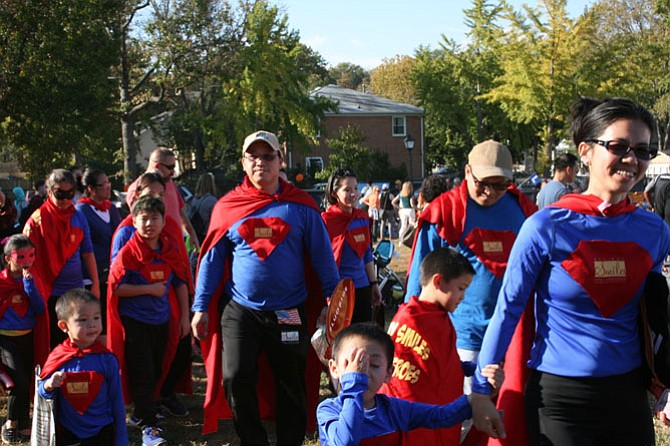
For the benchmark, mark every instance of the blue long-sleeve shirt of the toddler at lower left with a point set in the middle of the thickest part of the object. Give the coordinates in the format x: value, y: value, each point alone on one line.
x: 106, y: 408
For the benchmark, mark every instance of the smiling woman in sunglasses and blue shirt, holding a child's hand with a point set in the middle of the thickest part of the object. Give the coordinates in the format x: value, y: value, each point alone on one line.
x: 587, y: 257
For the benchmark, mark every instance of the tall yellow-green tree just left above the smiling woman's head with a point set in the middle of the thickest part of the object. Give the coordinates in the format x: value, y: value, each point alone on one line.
x: 538, y: 54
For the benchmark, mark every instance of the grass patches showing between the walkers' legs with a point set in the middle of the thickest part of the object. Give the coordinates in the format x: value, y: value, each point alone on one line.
x: 187, y: 431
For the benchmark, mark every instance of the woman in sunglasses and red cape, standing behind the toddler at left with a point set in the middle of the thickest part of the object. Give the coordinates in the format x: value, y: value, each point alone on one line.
x: 61, y: 236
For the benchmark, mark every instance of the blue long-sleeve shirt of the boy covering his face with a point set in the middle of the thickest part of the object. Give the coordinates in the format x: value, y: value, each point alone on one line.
x: 344, y: 420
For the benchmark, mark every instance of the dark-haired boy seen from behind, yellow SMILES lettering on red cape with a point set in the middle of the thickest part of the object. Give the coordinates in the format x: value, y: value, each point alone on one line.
x: 427, y: 367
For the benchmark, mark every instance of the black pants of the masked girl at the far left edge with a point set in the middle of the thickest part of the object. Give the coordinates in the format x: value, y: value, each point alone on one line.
x: 16, y: 354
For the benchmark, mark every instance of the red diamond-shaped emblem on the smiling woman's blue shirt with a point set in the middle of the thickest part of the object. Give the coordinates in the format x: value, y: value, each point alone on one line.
x: 607, y: 272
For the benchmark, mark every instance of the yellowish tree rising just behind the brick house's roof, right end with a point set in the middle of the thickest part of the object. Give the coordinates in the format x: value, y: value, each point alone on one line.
x: 393, y: 79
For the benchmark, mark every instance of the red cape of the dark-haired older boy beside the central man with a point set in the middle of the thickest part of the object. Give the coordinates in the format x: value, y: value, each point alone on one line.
x: 136, y: 255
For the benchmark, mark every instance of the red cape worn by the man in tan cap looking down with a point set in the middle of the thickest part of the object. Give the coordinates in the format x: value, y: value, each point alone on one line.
x: 448, y: 212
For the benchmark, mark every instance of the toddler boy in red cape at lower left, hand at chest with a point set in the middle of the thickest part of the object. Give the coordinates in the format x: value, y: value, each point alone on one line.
x: 83, y: 377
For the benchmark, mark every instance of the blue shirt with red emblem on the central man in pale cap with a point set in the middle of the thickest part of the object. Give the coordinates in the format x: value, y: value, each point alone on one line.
x: 269, y: 275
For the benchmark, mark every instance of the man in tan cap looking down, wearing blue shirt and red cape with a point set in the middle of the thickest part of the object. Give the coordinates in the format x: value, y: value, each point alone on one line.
x: 480, y: 219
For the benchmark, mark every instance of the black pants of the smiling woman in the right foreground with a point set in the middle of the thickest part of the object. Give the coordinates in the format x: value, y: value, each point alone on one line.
x: 588, y: 411
